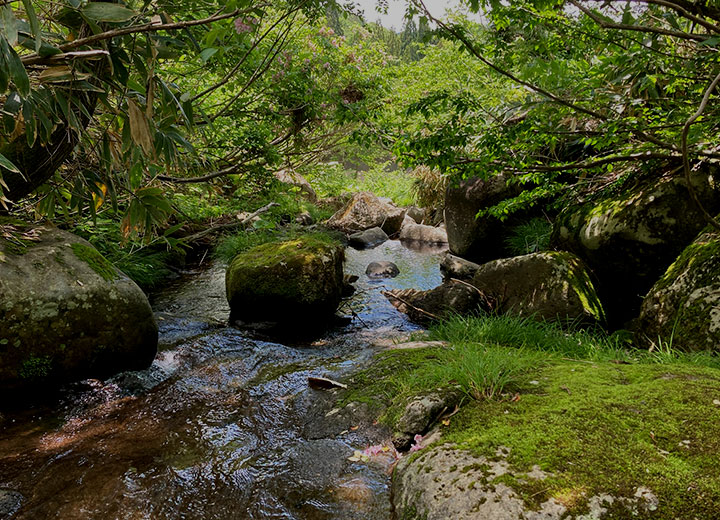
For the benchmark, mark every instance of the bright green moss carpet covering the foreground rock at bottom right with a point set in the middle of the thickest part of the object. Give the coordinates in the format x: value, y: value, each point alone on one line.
x: 603, y: 428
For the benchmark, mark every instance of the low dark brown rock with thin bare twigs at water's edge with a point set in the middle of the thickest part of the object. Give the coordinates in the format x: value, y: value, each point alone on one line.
x: 442, y: 301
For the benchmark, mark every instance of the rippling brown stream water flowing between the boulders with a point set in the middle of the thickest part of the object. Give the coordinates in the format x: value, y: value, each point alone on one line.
x: 223, y: 424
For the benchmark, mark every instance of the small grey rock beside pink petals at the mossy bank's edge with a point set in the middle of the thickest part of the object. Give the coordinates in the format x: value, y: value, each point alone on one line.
x: 420, y: 414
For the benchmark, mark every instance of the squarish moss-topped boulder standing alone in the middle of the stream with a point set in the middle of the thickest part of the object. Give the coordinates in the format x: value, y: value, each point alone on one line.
x: 286, y: 281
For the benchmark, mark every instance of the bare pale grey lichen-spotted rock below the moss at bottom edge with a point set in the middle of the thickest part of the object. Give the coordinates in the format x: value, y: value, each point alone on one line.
x: 448, y: 483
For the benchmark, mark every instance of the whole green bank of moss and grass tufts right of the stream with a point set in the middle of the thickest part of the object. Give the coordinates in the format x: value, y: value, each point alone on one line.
x: 596, y: 415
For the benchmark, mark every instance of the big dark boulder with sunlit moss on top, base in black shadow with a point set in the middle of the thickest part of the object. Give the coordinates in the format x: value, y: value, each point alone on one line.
x: 628, y: 242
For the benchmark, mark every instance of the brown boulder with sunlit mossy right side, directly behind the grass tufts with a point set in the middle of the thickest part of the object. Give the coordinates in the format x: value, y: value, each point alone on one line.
x: 548, y: 285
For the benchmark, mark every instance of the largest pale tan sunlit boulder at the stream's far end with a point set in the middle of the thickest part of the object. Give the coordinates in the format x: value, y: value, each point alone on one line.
x: 364, y: 211
